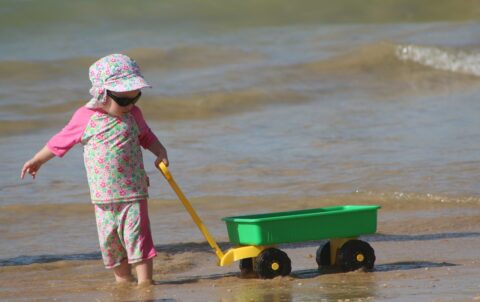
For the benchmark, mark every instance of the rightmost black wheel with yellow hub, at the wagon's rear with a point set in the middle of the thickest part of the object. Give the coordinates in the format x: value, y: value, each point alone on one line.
x: 355, y: 254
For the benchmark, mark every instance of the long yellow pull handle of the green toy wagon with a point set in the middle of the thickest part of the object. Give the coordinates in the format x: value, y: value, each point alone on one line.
x: 191, y: 211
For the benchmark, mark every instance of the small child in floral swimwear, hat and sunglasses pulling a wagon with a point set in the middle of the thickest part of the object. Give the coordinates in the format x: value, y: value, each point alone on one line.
x: 111, y: 129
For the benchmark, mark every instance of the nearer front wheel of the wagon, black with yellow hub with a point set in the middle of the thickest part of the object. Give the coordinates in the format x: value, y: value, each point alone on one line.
x: 271, y: 263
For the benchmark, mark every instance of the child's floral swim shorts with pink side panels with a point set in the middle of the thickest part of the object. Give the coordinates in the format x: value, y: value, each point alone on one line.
x: 124, y: 232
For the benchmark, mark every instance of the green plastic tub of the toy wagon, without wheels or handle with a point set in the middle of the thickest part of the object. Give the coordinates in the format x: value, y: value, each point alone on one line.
x: 303, y: 225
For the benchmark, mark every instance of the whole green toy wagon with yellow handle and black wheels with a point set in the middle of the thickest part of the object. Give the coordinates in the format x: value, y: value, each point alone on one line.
x: 256, y: 236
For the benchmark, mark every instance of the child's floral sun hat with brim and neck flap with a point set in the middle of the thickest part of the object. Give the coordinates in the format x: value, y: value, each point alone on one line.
x: 115, y: 72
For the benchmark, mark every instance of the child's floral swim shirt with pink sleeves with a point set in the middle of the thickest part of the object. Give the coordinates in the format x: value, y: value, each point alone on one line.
x: 112, y: 154
